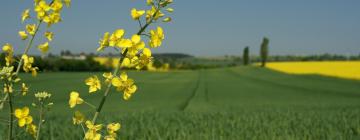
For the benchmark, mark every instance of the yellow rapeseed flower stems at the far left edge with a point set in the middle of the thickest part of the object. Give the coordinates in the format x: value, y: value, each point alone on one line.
x: 43, y: 12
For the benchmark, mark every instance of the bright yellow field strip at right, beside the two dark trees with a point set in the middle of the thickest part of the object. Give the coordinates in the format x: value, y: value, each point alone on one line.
x: 341, y: 69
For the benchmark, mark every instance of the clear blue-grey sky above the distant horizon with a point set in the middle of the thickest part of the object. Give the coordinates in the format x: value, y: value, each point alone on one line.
x: 207, y: 27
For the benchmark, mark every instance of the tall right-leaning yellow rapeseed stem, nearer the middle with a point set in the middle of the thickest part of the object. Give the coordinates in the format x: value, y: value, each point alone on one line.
x: 134, y: 52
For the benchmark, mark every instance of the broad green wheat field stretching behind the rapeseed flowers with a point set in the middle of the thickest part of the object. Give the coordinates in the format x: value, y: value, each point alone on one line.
x: 228, y: 103
